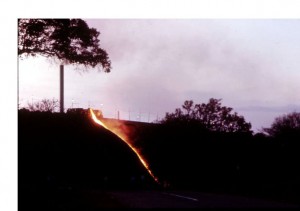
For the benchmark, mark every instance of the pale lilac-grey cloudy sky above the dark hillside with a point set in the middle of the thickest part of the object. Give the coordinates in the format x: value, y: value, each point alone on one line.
x: 251, y: 64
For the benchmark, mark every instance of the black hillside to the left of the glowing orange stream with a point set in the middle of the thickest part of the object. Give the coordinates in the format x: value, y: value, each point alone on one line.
x: 60, y: 155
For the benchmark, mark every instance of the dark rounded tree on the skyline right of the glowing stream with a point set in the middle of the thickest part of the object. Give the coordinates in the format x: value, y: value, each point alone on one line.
x: 211, y: 115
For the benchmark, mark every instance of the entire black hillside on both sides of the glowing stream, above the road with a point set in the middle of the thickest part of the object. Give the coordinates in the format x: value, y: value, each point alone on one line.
x: 62, y: 155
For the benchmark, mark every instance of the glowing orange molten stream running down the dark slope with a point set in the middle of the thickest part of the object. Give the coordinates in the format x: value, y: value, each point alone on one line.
x: 124, y: 138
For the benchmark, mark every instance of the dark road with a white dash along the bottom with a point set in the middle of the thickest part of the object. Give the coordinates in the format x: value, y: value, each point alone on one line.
x: 97, y: 200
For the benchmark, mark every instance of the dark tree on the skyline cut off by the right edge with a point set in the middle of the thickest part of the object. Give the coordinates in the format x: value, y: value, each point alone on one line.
x: 285, y: 125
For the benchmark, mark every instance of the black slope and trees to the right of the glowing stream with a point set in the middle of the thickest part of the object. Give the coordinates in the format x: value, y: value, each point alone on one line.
x: 189, y: 154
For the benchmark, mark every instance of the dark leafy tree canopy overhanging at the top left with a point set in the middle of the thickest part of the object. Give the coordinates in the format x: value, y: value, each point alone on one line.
x: 69, y: 40
